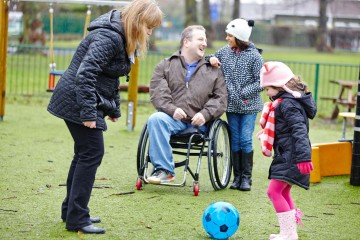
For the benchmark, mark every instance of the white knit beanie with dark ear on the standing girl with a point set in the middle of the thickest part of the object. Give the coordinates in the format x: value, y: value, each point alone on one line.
x: 240, y: 28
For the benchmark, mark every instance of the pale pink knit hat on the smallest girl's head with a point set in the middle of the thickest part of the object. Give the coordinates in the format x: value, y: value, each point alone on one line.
x: 277, y: 74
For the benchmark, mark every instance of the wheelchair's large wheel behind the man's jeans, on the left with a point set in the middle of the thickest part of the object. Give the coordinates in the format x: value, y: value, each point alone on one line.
x: 143, y: 150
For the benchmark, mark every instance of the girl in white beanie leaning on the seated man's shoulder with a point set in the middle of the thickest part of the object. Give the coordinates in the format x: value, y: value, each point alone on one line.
x: 241, y: 62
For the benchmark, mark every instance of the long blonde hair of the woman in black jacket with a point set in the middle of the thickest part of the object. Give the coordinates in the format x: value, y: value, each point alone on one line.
x: 136, y: 17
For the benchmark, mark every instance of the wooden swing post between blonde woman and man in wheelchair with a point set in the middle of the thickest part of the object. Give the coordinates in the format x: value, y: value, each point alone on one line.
x: 132, y: 95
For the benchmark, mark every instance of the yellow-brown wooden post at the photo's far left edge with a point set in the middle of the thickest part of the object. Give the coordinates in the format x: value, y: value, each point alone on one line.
x: 4, y: 20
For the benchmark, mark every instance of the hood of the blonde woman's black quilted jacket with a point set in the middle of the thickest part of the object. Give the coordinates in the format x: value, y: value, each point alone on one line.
x: 110, y: 20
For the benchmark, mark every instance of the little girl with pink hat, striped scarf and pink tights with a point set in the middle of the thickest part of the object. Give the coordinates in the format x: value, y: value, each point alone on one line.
x: 285, y: 129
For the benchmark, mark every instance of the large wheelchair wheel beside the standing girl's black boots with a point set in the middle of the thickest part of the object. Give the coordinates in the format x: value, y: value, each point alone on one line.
x: 219, y: 155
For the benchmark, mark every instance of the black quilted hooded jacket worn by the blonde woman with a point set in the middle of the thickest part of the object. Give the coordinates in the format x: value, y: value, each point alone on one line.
x: 97, y: 64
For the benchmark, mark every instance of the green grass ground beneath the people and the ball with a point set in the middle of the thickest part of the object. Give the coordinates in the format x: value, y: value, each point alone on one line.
x: 36, y: 150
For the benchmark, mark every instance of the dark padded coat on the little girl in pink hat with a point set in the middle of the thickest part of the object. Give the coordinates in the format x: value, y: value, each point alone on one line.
x: 291, y: 144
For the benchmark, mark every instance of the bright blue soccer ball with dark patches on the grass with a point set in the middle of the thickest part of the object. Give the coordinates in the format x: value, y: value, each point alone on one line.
x: 221, y: 220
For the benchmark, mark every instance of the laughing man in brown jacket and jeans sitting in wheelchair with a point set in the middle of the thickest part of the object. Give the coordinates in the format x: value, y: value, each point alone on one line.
x: 186, y: 92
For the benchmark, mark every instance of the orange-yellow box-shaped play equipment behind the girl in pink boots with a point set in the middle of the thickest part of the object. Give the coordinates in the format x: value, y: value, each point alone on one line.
x: 331, y: 159
